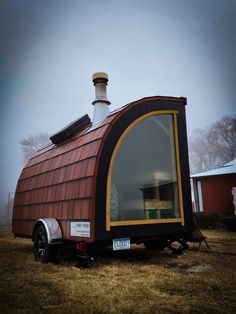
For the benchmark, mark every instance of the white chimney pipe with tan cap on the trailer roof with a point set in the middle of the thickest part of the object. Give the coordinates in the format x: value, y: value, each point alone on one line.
x: 101, y: 109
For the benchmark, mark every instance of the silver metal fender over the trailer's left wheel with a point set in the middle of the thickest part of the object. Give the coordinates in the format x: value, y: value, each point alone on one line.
x: 53, y: 229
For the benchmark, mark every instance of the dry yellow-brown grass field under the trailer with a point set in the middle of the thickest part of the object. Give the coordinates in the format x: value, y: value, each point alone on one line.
x: 135, y: 281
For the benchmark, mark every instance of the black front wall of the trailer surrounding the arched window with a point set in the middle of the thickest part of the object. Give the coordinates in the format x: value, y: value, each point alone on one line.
x: 118, y: 125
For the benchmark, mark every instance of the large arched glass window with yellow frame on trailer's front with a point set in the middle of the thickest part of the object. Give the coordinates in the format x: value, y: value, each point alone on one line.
x: 144, y: 180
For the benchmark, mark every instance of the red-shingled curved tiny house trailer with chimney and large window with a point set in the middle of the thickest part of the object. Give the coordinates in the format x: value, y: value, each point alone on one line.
x: 121, y: 179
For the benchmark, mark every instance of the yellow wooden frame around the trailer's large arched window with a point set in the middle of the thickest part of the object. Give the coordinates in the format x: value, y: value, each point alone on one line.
x: 110, y: 223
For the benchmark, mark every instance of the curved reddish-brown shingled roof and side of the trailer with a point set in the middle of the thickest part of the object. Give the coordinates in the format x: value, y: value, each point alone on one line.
x: 62, y: 177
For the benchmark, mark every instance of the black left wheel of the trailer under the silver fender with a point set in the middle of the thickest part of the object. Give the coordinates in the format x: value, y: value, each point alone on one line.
x: 43, y: 251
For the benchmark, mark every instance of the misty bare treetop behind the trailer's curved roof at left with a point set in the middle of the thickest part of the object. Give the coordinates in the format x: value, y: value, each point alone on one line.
x: 33, y: 143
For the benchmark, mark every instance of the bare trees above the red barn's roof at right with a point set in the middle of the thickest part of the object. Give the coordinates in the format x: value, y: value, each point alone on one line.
x: 214, y: 146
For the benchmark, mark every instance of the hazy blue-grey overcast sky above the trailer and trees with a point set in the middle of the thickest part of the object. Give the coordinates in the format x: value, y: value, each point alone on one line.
x: 49, y: 50
